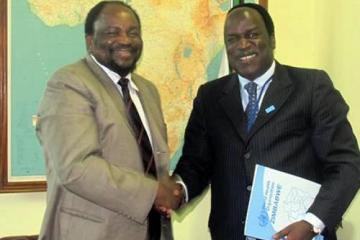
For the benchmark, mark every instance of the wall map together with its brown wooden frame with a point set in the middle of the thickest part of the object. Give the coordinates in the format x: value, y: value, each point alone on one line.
x: 37, y: 37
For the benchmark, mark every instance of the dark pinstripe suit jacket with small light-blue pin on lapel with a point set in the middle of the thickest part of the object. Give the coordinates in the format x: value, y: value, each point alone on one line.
x: 301, y: 128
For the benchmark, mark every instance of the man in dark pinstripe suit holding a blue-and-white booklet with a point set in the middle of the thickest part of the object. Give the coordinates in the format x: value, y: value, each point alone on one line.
x: 291, y: 119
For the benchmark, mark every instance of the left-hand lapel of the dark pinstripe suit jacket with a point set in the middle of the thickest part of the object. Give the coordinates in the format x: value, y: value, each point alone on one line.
x: 232, y: 105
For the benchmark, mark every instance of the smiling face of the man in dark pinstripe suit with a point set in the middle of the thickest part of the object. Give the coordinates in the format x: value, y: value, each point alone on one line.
x: 248, y: 44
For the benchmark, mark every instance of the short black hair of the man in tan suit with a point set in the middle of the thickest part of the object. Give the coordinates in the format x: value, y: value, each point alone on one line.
x: 95, y: 11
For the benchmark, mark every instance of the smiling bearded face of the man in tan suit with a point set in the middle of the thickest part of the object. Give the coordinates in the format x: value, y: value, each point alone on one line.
x: 116, y: 42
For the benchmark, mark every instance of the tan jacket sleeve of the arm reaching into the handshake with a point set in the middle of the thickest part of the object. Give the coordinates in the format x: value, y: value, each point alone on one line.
x: 68, y: 131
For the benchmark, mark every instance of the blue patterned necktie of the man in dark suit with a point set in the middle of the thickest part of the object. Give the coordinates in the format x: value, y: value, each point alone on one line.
x: 252, y: 107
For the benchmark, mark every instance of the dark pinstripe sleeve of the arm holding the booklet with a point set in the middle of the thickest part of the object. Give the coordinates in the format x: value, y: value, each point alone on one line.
x: 335, y: 145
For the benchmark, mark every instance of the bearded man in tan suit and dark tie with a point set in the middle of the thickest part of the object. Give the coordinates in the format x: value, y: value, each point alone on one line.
x: 102, y: 182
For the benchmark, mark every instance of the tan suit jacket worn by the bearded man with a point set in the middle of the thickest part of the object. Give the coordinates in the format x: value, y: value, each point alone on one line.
x: 96, y: 184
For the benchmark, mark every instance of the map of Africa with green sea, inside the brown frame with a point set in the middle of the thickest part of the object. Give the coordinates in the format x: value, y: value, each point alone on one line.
x: 183, y: 48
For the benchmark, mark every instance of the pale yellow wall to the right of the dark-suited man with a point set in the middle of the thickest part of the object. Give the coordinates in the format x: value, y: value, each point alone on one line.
x: 325, y: 34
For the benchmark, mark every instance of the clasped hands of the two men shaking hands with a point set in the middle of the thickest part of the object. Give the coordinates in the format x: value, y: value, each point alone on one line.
x: 169, y: 196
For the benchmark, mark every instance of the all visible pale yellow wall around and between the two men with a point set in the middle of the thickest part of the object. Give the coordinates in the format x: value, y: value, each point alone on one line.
x: 322, y: 34
